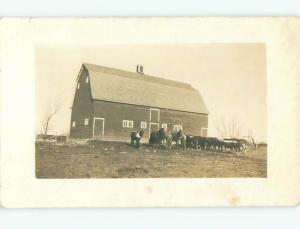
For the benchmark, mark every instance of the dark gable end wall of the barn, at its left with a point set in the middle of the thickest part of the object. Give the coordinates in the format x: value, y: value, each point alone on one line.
x: 82, y: 108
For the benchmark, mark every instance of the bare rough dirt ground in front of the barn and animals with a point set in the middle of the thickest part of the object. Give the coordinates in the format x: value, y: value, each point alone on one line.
x: 120, y: 160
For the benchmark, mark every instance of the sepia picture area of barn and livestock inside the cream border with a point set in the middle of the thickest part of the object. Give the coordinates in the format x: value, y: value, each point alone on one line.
x: 151, y: 111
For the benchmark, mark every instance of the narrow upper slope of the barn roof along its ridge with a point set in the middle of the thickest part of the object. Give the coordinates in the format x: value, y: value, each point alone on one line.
x: 138, y: 76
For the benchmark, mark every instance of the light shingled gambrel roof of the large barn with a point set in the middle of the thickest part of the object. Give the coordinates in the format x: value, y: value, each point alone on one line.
x: 121, y: 86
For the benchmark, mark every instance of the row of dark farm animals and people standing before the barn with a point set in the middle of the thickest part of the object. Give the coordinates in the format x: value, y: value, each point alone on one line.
x: 163, y: 138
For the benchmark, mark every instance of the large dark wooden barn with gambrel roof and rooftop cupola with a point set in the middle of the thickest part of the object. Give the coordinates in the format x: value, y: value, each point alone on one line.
x: 110, y: 103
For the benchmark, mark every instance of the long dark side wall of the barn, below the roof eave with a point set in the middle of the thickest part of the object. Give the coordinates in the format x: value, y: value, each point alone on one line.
x: 115, y: 113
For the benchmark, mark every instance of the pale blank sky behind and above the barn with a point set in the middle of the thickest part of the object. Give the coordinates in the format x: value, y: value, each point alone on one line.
x: 231, y: 78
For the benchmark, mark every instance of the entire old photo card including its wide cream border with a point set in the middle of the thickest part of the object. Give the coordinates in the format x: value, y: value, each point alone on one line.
x: 150, y: 112
